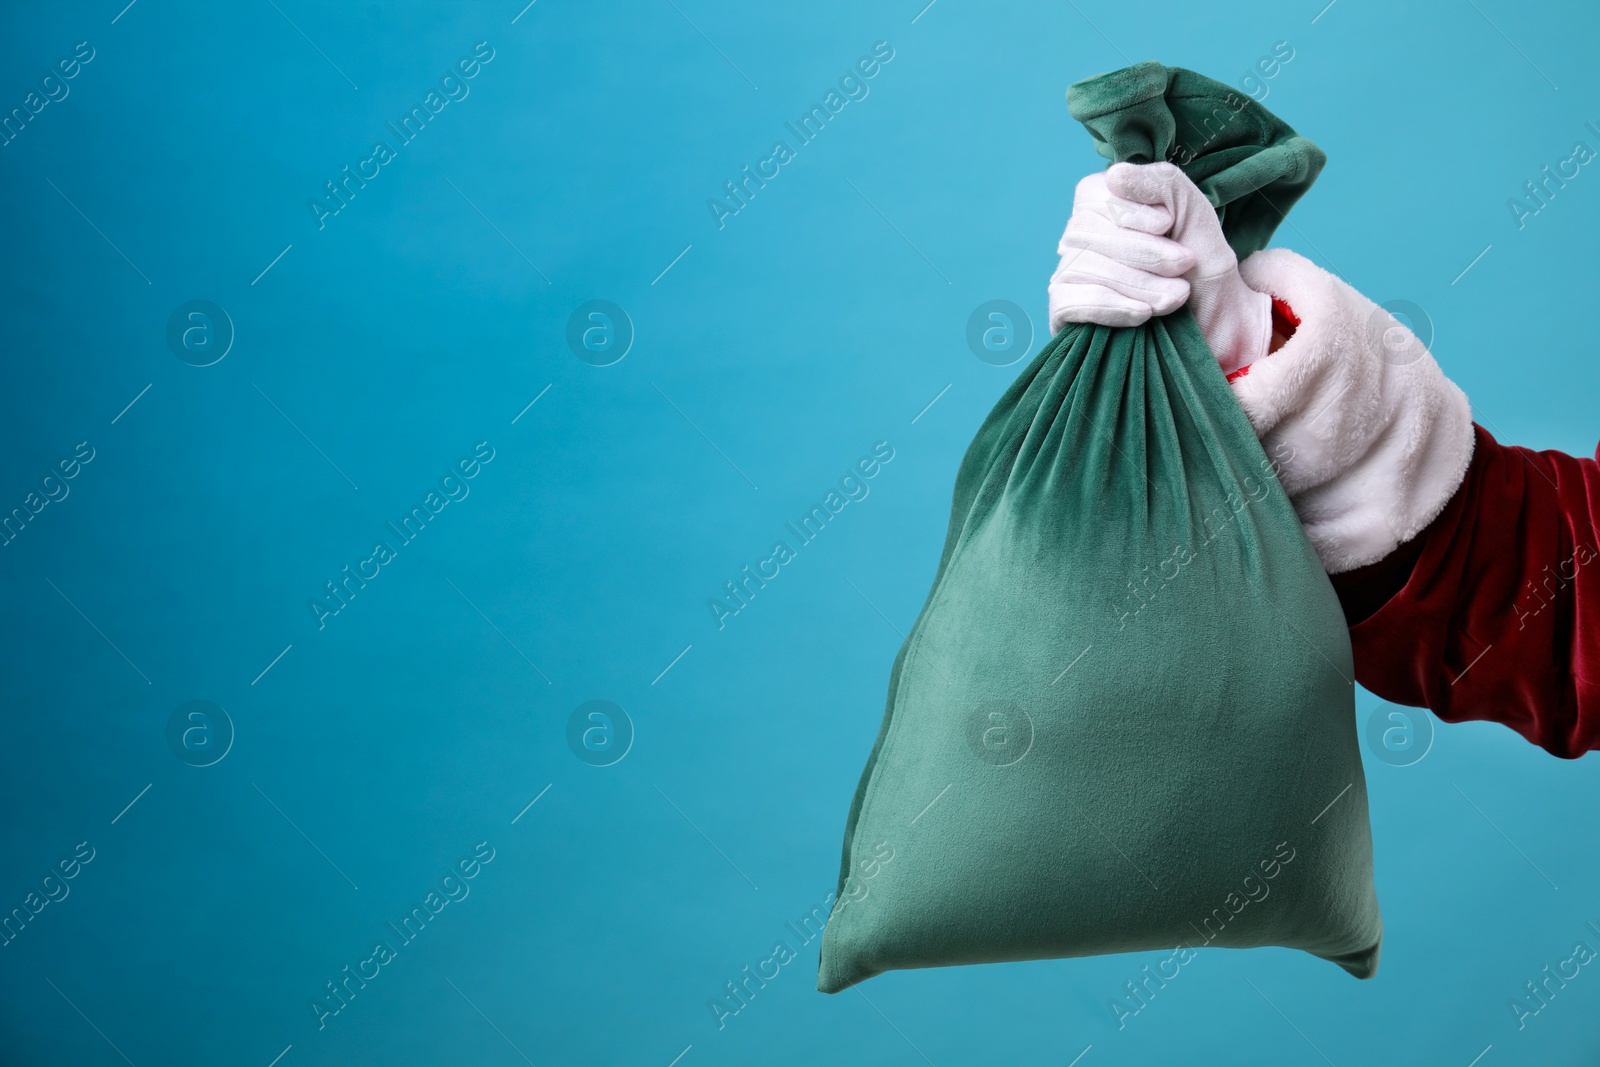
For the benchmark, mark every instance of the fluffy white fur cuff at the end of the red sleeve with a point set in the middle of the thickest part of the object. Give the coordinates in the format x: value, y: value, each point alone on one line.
x: 1369, y: 436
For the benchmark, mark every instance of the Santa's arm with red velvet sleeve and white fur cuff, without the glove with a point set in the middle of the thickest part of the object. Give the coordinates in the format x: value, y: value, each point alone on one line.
x: 1470, y: 572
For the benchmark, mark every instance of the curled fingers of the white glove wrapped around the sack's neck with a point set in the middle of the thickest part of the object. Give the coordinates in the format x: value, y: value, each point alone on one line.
x: 1116, y: 266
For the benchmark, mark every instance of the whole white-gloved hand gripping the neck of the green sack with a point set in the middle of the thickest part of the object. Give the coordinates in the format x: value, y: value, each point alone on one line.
x: 1234, y: 319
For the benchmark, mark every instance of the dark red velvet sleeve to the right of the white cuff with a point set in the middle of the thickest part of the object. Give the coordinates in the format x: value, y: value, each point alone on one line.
x: 1494, y: 612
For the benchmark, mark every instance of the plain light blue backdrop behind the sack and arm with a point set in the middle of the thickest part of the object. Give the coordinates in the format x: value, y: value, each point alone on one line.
x: 822, y: 319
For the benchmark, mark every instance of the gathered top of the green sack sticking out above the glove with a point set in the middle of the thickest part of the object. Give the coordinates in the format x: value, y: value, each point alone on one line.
x: 1249, y: 162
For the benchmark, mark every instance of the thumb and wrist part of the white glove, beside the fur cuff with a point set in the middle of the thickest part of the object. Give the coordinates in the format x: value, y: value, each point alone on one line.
x: 1236, y: 319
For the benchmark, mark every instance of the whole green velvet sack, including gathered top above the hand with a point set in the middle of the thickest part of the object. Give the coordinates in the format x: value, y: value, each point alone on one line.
x: 1126, y: 716
